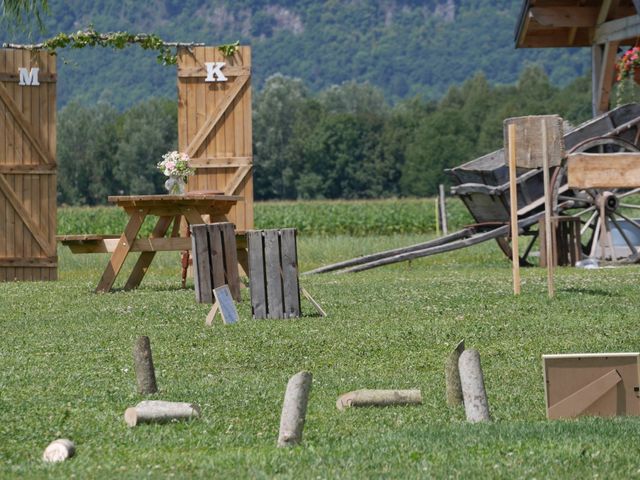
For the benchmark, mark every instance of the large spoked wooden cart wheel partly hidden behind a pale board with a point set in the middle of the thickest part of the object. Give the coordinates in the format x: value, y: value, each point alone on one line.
x: 617, y: 210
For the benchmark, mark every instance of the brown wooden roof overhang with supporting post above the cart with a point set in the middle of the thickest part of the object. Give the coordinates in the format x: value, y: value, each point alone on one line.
x: 603, y: 25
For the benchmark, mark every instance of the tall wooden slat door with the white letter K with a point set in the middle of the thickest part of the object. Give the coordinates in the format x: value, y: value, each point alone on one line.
x: 214, y: 125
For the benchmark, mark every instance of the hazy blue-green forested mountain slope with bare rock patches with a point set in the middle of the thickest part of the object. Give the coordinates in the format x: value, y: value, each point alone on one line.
x: 405, y: 47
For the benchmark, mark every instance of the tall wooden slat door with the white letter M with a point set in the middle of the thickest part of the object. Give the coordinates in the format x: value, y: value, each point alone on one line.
x: 27, y: 166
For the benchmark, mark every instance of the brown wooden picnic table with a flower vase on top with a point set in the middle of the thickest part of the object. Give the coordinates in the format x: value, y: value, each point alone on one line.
x: 193, y: 208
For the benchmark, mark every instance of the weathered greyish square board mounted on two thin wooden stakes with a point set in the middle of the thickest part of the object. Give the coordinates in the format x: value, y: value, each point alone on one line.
x: 531, y: 132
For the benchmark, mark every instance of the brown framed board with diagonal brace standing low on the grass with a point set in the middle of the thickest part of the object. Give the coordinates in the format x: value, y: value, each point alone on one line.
x: 603, y: 384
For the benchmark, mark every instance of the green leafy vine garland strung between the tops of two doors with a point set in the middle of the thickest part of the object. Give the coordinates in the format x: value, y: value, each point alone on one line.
x: 119, y: 40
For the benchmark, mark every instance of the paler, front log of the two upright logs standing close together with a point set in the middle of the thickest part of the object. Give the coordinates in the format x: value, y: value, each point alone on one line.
x: 476, y: 405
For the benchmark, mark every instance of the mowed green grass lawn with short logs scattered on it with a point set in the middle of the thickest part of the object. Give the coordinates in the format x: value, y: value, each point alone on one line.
x: 67, y: 371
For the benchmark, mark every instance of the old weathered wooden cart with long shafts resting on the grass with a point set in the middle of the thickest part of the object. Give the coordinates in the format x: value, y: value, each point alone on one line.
x: 483, y: 186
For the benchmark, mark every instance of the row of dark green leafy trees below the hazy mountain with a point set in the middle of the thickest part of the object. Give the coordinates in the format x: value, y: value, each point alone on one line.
x: 345, y: 141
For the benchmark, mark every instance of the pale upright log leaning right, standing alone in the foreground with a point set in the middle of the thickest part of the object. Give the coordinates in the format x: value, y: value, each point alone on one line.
x: 294, y: 409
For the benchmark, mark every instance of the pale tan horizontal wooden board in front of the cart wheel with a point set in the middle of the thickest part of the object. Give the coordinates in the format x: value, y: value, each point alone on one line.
x: 603, y: 170
